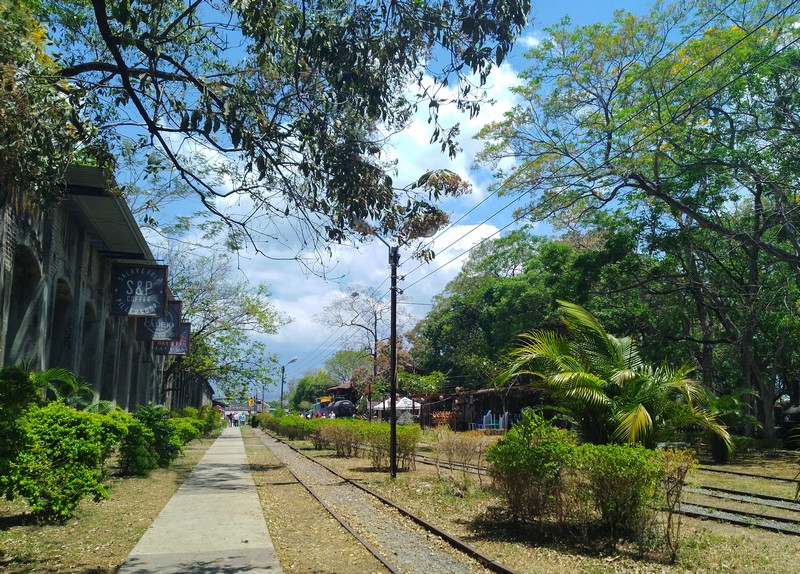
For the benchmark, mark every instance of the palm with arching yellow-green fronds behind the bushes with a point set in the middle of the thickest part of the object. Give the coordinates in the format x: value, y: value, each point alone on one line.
x: 606, y: 387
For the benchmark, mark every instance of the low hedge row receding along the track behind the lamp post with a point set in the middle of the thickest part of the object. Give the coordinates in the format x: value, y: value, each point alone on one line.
x: 350, y: 437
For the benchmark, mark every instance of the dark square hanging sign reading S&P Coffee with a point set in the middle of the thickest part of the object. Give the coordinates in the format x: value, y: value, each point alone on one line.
x: 138, y: 291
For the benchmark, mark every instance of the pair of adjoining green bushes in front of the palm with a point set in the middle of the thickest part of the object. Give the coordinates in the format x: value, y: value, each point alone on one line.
x: 545, y: 476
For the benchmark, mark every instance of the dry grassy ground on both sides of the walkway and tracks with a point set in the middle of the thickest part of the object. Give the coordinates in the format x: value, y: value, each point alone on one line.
x: 101, y: 535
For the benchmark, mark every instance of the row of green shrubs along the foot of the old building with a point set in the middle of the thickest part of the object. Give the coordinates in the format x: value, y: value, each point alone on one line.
x: 54, y: 455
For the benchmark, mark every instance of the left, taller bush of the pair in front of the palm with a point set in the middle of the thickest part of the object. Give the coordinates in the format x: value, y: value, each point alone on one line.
x: 530, y: 467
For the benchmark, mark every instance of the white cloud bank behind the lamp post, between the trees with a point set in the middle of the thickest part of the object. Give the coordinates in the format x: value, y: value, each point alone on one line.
x: 302, y: 295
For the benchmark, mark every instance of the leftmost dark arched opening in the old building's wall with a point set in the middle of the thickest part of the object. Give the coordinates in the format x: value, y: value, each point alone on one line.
x: 23, y: 331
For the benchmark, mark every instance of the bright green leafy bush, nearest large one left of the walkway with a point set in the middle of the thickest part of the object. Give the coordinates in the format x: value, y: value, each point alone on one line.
x: 63, y: 458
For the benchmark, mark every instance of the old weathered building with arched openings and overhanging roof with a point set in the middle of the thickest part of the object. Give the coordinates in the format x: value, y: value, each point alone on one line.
x: 55, y: 292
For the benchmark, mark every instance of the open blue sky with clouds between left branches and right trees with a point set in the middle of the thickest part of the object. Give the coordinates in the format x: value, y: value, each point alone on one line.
x: 302, y: 296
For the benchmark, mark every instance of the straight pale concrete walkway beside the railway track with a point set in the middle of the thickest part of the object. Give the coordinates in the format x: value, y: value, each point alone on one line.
x: 213, y: 523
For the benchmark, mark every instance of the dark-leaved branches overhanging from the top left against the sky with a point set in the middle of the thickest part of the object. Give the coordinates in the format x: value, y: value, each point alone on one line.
x: 290, y: 102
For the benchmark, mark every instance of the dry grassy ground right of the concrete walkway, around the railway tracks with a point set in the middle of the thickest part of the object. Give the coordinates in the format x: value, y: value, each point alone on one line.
x: 457, y: 505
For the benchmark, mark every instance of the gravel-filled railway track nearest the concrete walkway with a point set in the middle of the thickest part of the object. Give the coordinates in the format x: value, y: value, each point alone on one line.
x: 401, y: 541
